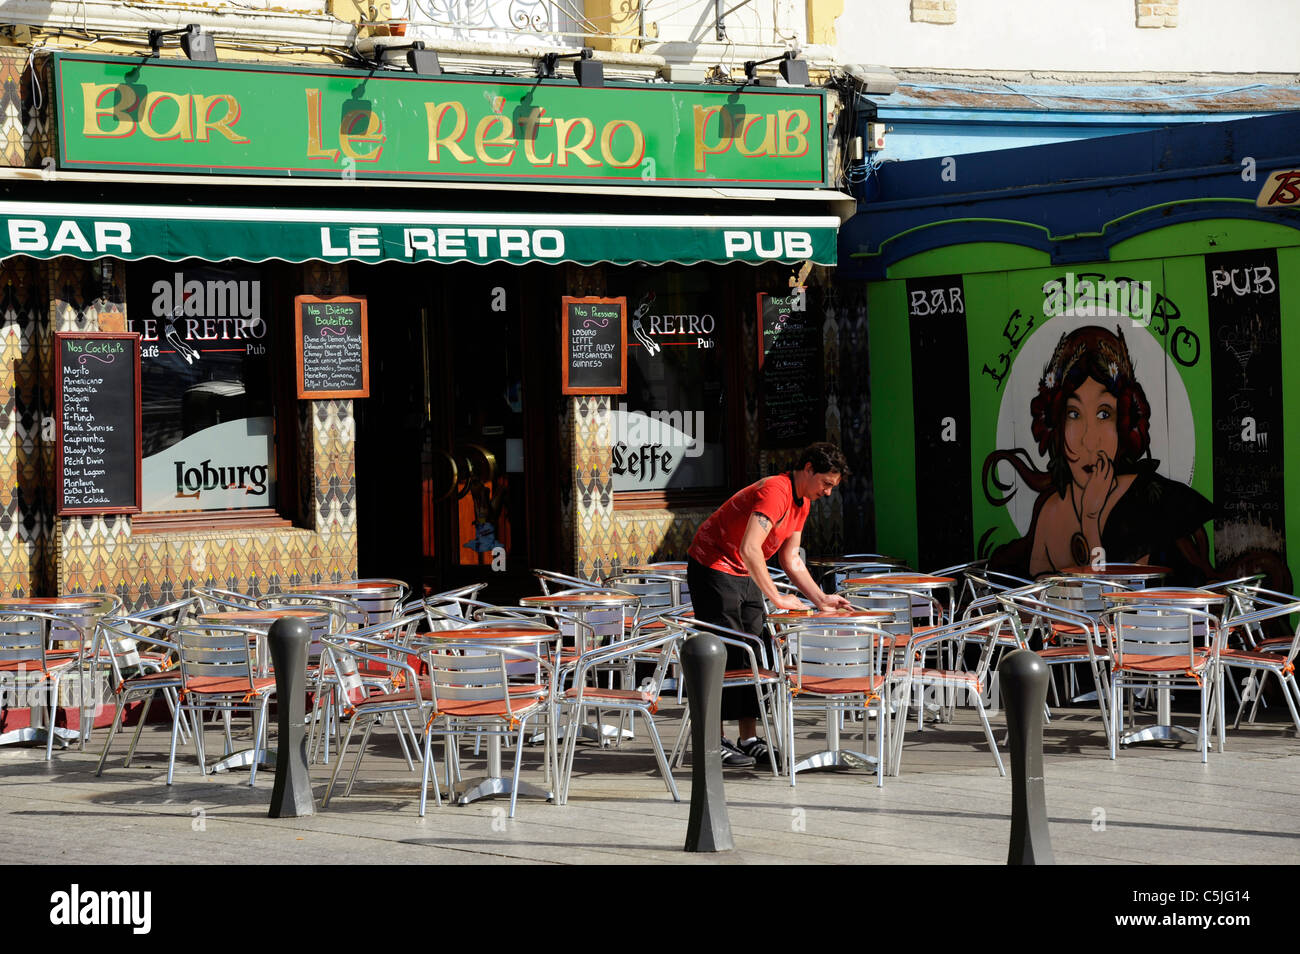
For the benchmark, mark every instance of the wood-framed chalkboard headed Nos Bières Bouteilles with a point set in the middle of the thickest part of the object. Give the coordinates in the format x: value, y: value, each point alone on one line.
x: 333, y: 346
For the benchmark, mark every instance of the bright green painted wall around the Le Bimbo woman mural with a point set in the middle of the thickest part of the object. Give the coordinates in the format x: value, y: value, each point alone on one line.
x: 1008, y: 326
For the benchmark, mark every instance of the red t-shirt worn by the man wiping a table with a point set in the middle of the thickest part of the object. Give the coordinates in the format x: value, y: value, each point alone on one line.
x: 717, y: 544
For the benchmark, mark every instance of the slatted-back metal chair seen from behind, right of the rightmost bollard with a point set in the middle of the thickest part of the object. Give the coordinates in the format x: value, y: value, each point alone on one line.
x: 1155, y: 648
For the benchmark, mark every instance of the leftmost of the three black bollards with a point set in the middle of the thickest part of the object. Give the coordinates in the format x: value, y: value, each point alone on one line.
x: 292, y: 797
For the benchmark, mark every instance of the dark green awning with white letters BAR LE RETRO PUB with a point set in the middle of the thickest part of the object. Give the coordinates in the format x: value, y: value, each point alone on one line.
x: 216, y: 233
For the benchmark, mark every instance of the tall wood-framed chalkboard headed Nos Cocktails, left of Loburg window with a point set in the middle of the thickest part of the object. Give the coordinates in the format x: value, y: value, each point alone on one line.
x: 98, y: 423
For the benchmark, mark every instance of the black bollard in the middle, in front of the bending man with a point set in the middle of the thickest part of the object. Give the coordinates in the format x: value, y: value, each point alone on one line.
x: 704, y: 661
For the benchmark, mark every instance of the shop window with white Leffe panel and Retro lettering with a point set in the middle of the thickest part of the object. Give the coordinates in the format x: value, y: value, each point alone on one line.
x: 668, y: 436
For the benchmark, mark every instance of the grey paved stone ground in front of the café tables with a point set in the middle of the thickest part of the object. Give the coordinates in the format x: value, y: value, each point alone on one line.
x: 1155, y: 804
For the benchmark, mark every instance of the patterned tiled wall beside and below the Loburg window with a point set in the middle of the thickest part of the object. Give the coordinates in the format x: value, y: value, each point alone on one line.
x: 102, y: 553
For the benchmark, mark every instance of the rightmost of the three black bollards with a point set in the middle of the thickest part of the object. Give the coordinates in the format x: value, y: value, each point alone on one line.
x: 1025, y: 692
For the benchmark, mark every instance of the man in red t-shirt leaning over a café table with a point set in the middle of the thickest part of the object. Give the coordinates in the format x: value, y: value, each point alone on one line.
x: 729, y: 579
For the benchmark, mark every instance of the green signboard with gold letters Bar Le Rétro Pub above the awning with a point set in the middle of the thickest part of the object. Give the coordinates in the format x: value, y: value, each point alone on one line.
x: 154, y: 115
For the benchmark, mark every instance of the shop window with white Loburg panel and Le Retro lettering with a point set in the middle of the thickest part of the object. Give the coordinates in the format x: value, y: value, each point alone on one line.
x: 207, y: 391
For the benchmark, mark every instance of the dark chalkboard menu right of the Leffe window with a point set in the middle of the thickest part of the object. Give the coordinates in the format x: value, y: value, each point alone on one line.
x: 790, y: 370
